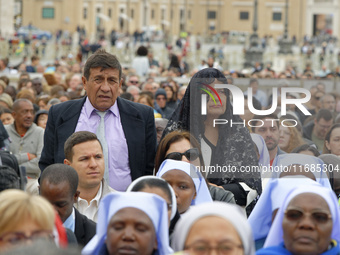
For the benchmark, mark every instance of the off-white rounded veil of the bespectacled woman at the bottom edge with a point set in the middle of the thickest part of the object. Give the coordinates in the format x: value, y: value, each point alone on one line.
x: 232, y: 213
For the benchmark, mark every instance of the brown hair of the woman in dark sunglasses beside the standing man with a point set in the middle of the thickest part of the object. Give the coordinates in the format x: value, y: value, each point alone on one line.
x: 171, y: 138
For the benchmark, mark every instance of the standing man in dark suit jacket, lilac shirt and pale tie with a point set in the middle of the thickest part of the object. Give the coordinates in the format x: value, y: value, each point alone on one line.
x: 129, y: 127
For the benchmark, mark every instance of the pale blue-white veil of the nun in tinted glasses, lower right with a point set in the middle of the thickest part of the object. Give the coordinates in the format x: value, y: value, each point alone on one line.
x: 275, y: 236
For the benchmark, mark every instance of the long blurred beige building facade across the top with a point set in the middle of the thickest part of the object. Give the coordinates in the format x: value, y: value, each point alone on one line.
x: 204, y: 17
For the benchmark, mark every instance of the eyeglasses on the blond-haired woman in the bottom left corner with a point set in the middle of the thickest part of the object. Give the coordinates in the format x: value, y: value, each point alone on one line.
x: 18, y: 237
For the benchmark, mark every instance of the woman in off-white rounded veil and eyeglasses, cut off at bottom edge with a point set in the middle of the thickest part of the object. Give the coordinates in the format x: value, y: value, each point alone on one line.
x: 219, y: 225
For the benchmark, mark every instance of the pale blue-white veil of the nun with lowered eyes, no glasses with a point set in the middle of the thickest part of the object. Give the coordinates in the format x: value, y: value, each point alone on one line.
x: 151, y: 204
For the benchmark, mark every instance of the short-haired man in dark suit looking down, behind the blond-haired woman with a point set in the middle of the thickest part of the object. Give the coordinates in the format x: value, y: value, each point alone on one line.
x: 58, y: 184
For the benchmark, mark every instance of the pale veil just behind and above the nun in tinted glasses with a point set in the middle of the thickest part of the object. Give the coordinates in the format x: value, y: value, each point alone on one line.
x: 285, y: 160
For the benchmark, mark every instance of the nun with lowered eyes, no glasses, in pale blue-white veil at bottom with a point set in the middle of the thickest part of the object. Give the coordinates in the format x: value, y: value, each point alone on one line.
x: 132, y: 222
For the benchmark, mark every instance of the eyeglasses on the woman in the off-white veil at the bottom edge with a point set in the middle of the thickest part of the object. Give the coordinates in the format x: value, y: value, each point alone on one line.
x: 225, y: 248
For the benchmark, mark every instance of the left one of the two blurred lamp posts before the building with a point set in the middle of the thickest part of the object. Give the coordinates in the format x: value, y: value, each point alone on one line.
x: 254, y: 53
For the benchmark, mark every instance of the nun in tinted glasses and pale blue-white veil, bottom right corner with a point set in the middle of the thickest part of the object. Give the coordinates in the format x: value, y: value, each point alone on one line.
x: 292, y: 233
